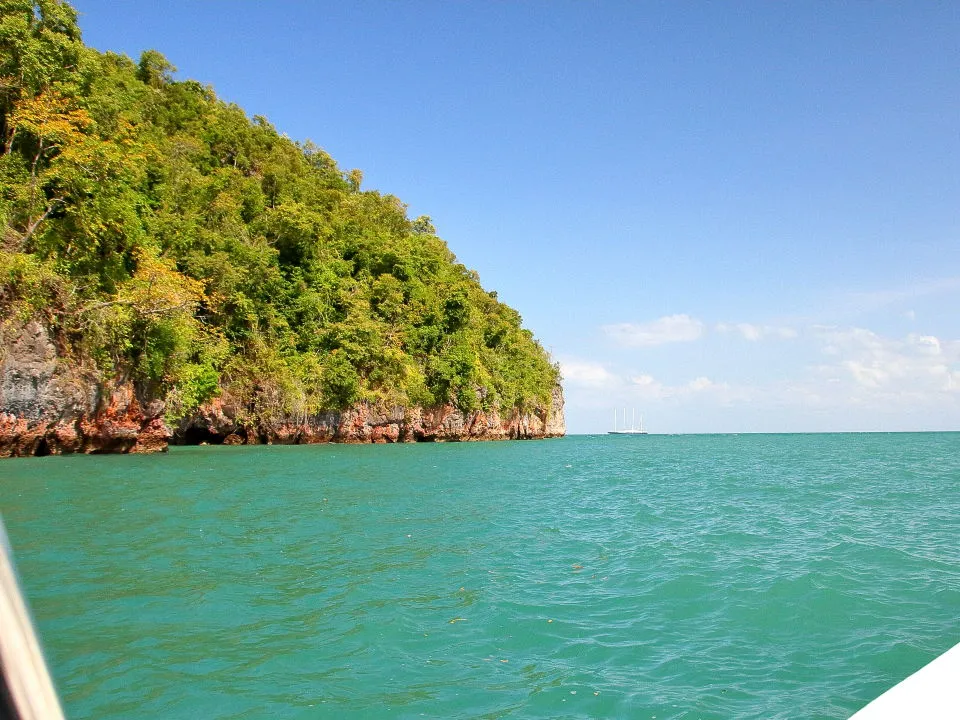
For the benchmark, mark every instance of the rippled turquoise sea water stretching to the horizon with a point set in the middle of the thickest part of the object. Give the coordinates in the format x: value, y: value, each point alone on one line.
x: 754, y: 576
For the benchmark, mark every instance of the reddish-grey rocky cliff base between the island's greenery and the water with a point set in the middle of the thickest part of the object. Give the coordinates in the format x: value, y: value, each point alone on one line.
x: 50, y: 407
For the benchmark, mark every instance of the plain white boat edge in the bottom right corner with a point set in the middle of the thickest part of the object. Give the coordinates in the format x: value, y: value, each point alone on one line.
x: 931, y: 693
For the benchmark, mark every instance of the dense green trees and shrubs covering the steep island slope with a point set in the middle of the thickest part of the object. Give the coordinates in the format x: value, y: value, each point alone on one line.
x: 165, y: 237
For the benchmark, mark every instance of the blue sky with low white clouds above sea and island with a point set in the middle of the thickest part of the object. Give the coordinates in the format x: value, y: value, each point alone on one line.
x: 722, y: 217
